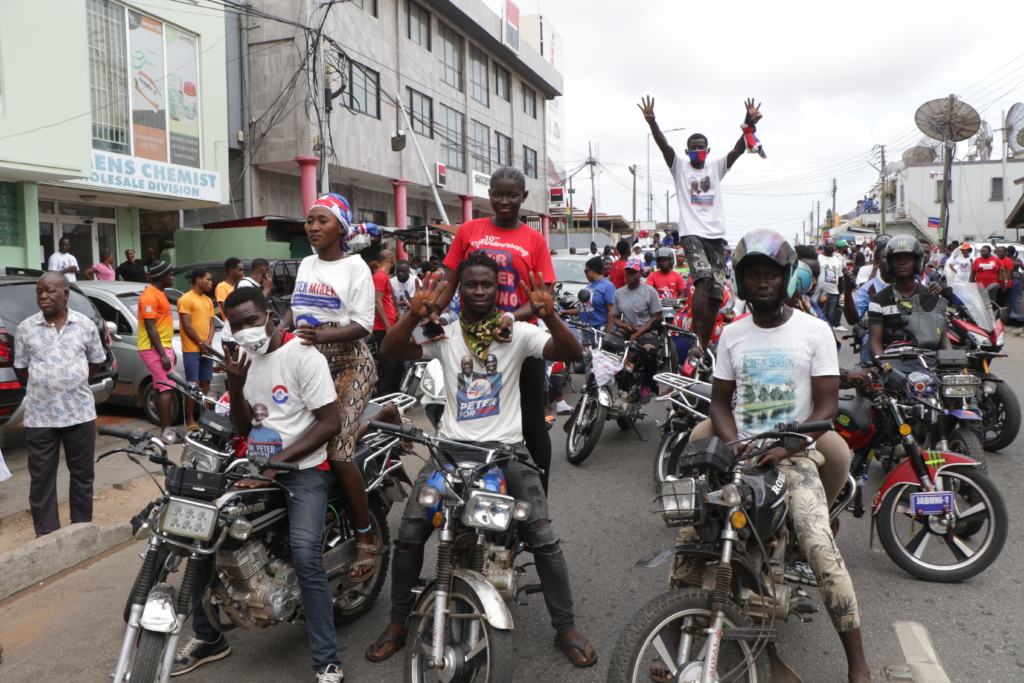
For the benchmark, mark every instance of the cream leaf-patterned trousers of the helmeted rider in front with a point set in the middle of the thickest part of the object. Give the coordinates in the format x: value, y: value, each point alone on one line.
x: 809, y: 515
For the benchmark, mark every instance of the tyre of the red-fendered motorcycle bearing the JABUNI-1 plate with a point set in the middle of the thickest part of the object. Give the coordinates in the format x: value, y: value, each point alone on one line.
x: 909, y: 558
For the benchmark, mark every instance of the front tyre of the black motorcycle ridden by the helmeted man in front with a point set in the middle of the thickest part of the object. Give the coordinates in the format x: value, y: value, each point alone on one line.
x: 631, y: 661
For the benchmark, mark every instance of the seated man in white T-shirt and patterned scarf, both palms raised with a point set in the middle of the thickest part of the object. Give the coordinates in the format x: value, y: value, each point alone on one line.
x: 492, y: 415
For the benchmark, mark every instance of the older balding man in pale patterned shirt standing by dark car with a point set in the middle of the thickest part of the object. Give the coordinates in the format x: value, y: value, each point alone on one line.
x: 57, y: 353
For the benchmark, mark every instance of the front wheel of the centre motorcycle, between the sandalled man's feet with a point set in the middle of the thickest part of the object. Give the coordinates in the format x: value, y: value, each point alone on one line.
x: 475, y: 651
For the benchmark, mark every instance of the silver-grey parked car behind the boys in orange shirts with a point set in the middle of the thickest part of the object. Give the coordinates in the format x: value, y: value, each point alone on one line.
x: 118, y: 304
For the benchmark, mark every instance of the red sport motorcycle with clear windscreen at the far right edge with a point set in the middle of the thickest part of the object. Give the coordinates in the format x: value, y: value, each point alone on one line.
x: 975, y: 327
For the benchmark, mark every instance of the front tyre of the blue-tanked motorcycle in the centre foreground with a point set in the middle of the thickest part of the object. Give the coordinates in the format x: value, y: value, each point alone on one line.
x: 499, y: 666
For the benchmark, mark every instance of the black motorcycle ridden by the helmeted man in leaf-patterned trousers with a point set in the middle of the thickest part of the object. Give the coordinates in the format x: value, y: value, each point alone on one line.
x: 727, y: 620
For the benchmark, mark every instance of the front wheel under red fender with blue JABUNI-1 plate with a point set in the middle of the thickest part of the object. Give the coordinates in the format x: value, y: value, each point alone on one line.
x: 927, y: 547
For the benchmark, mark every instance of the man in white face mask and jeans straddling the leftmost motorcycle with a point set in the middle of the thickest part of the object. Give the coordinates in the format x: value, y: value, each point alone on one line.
x: 292, y: 385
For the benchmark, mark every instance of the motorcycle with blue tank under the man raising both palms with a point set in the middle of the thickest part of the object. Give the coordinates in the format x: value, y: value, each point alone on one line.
x: 461, y: 627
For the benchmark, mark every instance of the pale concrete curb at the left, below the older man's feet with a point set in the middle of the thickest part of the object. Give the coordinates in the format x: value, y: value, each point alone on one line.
x: 41, y: 559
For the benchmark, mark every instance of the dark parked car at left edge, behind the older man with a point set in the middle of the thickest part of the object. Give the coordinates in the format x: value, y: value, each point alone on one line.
x: 18, y: 302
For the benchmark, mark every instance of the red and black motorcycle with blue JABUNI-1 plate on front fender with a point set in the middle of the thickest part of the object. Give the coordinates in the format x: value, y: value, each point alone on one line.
x: 932, y: 493
